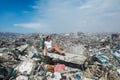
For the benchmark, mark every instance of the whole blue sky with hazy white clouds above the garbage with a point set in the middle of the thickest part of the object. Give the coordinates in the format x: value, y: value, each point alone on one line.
x: 59, y: 16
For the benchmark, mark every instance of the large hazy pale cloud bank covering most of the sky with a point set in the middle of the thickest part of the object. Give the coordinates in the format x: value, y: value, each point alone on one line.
x: 76, y: 15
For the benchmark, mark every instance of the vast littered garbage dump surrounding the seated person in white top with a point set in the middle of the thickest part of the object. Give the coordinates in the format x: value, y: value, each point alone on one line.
x: 88, y: 56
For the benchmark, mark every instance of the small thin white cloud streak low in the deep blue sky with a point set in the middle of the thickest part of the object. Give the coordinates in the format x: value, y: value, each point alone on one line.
x: 29, y: 25
